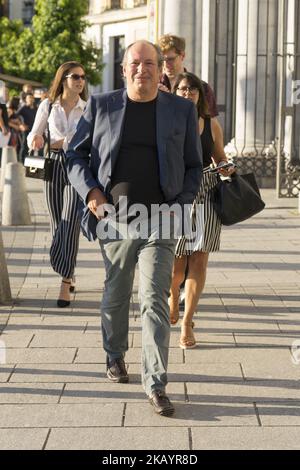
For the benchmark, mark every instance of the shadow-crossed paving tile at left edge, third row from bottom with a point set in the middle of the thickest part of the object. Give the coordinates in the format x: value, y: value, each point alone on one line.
x: 26, y: 393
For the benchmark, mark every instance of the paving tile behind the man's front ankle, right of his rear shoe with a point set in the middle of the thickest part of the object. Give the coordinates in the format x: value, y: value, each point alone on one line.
x: 196, y: 373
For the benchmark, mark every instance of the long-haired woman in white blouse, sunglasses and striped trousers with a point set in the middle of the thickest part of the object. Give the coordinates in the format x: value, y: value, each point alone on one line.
x: 62, y: 111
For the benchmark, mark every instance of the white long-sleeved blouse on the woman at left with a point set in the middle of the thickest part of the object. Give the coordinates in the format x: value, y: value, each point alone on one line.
x: 60, y: 126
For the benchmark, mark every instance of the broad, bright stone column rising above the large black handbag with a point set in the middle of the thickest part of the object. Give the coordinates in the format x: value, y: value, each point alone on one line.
x: 255, y: 108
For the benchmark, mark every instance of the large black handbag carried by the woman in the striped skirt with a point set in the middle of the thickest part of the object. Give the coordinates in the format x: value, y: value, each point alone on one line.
x: 237, y: 199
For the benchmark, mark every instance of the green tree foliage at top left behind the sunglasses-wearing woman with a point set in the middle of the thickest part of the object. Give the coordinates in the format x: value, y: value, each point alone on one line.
x: 56, y: 37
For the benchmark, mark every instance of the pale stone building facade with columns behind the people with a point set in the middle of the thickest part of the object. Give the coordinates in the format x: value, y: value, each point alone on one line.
x: 248, y: 50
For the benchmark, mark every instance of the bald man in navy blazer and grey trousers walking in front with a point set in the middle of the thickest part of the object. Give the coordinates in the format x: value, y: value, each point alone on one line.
x: 140, y: 144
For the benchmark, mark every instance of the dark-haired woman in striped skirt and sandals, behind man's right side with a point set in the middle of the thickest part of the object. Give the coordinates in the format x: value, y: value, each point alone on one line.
x: 191, y: 256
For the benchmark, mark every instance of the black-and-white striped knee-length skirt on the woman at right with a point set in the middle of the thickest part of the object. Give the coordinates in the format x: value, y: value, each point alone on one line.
x: 205, y: 223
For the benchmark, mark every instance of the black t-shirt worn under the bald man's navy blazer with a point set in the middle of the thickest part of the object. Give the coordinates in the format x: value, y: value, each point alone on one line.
x: 136, y: 173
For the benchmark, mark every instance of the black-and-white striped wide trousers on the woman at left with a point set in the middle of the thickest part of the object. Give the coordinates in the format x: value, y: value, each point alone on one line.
x: 62, y: 203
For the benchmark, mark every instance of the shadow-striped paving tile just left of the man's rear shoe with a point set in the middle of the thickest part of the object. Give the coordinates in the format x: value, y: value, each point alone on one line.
x: 58, y: 373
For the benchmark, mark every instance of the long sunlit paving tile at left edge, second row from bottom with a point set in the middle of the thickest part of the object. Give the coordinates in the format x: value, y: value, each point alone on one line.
x: 68, y: 416
